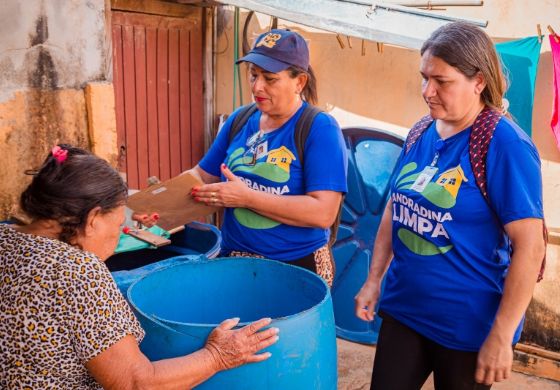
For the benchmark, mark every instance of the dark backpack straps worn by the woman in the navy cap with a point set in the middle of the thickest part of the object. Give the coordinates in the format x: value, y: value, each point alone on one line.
x: 303, y: 126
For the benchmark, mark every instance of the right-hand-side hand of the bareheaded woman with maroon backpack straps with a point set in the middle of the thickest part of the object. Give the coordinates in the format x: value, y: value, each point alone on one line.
x: 495, y: 359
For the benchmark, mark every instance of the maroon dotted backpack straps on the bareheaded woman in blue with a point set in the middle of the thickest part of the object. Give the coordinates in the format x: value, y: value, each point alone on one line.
x: 479, y: 141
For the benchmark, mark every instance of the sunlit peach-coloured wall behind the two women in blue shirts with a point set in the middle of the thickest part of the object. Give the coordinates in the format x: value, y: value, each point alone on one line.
x: 382, y: 89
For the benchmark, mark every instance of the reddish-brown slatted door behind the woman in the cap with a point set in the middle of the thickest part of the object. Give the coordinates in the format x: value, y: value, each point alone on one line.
x: 157, y: 74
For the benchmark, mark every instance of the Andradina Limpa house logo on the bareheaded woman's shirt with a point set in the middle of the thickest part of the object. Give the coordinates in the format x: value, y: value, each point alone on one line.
x: 422, y: 226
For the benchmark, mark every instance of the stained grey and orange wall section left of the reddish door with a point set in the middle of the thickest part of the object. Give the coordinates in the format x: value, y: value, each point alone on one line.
x: 49, y: 49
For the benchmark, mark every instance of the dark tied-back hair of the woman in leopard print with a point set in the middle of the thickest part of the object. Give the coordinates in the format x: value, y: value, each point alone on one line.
x: 67, y: 191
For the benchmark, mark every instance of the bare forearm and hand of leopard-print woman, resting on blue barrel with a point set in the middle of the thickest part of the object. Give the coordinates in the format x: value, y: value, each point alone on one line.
x: 123, y: 366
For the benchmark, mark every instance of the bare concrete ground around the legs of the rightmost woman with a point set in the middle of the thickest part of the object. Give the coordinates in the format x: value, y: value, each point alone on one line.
x: 355, y: 362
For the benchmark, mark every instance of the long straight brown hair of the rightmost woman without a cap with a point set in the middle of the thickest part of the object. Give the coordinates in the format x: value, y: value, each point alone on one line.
x: 470, y: 50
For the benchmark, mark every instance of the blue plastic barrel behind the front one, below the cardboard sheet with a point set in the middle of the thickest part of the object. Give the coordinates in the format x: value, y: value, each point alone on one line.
x: 197, y: 239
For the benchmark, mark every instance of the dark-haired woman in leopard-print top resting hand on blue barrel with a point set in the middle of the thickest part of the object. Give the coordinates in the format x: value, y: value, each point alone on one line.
x: 63, y: 322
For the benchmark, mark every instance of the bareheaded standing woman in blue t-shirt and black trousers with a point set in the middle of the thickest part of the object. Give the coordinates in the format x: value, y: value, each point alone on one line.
x: 462, y: 234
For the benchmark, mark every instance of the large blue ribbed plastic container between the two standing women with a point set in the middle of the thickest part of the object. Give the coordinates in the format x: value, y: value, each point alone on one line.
x: 372, y: 155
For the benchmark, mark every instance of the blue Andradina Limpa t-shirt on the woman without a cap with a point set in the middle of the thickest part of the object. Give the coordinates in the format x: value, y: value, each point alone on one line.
x: 451, y: 254
